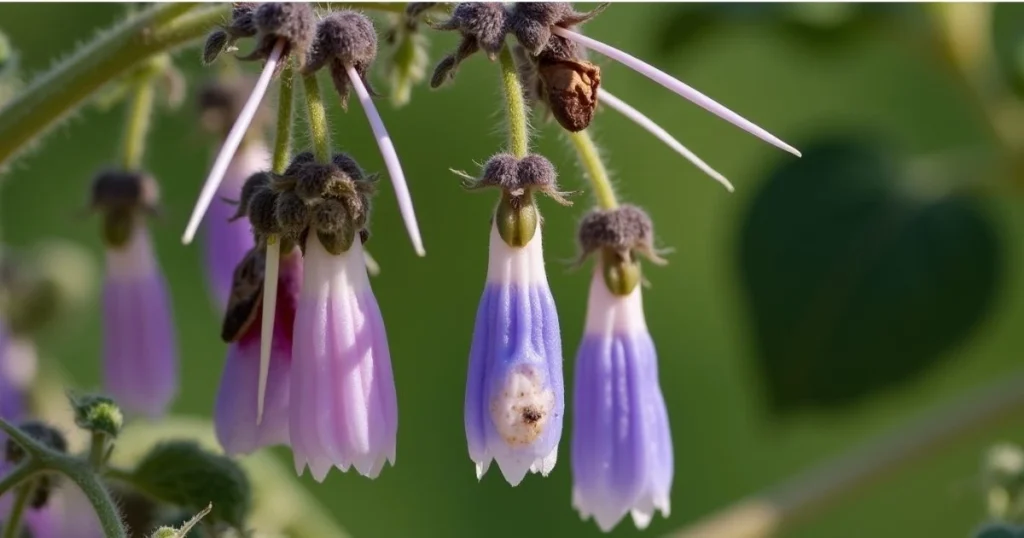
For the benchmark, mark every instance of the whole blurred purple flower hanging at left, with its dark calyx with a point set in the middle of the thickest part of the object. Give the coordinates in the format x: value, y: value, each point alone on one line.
x: 141, y: 363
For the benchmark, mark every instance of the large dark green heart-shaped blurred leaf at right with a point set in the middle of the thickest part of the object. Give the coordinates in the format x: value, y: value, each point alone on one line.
x: 858, y: 283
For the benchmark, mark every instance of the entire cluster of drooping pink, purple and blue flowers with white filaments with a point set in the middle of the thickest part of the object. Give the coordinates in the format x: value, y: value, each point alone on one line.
x: 308, y: 361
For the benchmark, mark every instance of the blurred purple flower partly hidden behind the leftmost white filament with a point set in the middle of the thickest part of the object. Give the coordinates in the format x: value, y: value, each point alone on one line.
x: 228, y: 241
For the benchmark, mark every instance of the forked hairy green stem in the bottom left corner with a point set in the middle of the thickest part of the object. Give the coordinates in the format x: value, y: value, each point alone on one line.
x: 42, y: 460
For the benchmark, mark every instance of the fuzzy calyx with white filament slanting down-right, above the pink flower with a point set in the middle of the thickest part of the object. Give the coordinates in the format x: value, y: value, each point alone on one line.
x: 347, y: 45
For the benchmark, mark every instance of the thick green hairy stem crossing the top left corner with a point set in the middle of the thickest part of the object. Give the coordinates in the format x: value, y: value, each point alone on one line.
x: 55, y: 95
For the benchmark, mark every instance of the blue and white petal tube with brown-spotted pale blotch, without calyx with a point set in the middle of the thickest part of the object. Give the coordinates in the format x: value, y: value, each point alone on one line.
x: 515, y: 391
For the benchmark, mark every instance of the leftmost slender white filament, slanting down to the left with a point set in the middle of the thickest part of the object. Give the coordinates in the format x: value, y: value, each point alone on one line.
x: 232, y: 144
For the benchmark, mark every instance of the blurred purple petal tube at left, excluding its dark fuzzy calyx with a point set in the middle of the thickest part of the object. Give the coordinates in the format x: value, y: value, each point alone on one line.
x: 141, y: 361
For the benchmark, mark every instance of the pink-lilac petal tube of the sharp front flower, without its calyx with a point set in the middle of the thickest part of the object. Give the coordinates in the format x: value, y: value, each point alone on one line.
x: 345, y: 408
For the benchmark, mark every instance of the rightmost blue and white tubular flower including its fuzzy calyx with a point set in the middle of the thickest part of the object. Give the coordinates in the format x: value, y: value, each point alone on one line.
x: 622, y: 444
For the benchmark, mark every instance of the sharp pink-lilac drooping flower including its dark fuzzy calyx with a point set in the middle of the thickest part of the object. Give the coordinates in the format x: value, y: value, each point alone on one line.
x: 344, y: 409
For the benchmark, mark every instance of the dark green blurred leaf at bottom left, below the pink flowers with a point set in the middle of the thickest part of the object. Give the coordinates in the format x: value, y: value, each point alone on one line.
x: 183, y: 474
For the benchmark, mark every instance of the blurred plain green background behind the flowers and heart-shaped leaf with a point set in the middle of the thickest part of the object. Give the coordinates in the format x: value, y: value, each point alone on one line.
x: 729, y: 444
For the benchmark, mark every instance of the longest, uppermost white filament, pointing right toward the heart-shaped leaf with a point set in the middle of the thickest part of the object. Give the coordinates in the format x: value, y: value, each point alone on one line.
x: 675, y: 86
